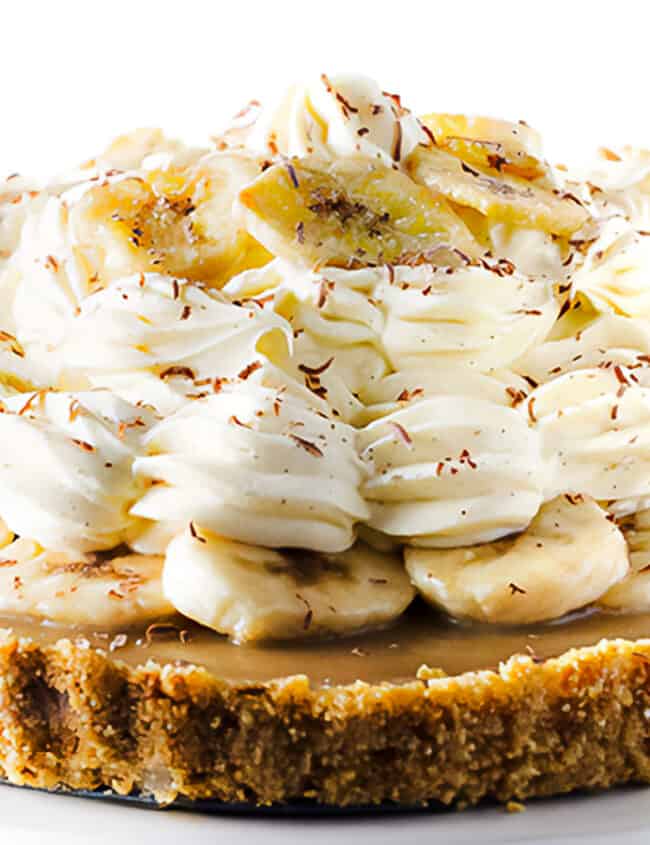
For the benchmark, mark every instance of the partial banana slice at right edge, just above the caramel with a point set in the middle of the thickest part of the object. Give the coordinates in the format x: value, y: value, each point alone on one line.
x: 632, y: 594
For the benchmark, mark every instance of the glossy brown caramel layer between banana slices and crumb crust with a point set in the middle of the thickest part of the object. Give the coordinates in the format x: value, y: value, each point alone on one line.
x: 394, y: 654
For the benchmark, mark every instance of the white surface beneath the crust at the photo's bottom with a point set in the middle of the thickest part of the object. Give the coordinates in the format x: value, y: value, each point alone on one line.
x: 37, y: 819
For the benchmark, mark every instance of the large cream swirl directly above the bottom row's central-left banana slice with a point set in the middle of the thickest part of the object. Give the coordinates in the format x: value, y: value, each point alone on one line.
x: 257, y: 464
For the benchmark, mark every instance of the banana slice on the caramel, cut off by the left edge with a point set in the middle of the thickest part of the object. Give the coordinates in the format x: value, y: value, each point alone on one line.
x: 86, y: 590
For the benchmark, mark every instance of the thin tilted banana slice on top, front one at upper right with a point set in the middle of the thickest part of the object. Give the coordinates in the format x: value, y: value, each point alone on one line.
x: 498, y: 196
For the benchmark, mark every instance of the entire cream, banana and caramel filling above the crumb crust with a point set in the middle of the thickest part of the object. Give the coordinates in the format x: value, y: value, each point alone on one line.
x: 357, y: 389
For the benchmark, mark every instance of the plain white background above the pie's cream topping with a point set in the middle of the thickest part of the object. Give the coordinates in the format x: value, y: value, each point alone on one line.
x: 72, y: 74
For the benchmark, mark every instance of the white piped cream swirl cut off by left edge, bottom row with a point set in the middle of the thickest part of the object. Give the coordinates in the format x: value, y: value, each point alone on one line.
x: 66, y: 468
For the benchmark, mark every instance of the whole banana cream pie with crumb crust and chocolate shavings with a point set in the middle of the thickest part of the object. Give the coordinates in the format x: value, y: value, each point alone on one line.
x: 325, y: 462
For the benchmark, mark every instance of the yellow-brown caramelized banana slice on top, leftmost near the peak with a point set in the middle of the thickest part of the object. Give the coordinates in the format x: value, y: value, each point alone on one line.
x: 173, y: 220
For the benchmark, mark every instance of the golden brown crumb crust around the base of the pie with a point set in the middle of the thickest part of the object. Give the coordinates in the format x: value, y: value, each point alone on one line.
x: 74, y: 717
